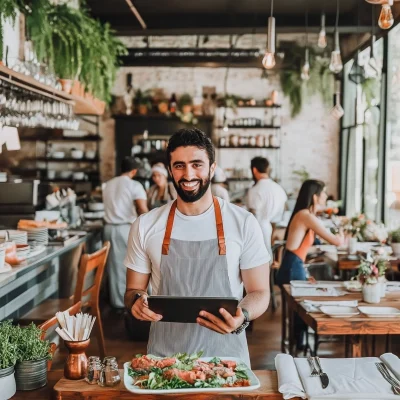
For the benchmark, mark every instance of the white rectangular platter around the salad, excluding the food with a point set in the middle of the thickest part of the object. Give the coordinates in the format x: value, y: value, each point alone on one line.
x: 254, y: 382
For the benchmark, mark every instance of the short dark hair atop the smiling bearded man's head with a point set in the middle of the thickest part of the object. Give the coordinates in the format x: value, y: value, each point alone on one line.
x: 190, y: 137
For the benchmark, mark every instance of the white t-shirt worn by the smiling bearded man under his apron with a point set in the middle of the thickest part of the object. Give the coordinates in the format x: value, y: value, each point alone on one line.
x: 245, y: 247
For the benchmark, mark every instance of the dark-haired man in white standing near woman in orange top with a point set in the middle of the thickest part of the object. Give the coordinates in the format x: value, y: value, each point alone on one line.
x: 266, y: 199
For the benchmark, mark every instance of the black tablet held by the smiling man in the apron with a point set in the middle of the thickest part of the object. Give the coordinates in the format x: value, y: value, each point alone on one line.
x: 187, y: 309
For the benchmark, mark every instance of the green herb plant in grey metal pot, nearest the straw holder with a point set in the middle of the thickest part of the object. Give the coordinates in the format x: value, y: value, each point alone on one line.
x: 32, y: 355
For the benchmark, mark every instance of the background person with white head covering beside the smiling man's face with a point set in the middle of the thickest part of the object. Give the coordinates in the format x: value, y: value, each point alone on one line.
x: 162, y: 191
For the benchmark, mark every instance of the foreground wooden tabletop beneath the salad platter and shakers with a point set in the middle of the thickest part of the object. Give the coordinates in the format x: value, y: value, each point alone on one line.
x: 65, y: 389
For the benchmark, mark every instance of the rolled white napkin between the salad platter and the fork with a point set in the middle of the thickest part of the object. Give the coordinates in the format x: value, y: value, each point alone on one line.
x: 288, y: 378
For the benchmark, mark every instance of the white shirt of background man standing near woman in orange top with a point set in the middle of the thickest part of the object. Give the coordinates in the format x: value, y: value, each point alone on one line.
x: 268, y: 200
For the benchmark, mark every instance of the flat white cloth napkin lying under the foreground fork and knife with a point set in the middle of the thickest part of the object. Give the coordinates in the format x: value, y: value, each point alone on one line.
x: 349, y: 378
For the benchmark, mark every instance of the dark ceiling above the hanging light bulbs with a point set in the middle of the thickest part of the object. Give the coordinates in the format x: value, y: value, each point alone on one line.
x: 164, y: 17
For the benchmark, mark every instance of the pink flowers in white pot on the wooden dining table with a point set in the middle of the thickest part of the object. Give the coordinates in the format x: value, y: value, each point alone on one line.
x: 368, y: 275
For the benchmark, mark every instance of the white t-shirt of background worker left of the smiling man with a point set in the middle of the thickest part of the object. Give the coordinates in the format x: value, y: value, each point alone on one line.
x: 119, y: 195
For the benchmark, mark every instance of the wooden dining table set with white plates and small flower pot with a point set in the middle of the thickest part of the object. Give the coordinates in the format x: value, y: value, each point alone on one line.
x: 355, y: 328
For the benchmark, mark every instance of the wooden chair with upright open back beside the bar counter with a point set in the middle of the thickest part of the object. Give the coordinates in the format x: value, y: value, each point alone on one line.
x: 89, y: 297
